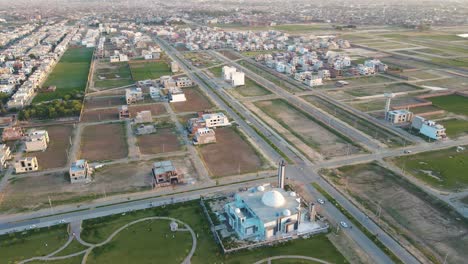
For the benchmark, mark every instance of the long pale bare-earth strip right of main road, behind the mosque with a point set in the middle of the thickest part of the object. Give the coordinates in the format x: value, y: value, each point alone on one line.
x: 323, y: 140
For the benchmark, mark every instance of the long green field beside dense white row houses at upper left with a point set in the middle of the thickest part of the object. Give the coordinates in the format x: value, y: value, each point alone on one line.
x: 70, y: 75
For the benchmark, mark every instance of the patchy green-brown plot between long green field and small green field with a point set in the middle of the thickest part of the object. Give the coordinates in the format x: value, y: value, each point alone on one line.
x: 112, y: 75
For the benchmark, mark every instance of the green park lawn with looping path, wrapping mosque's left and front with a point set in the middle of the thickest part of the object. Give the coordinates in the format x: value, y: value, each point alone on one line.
x: 207, y: 251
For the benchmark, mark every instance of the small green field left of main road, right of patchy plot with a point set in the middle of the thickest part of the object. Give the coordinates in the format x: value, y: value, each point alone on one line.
x: 149, y: 70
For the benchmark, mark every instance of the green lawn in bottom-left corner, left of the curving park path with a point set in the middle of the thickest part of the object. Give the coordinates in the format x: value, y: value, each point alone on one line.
x: 39, y: 242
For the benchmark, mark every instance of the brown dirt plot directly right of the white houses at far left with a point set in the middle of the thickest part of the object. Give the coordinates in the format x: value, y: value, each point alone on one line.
x: 55, y: 156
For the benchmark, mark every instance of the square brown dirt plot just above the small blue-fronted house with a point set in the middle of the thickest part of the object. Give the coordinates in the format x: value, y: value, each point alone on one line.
x: 104, y: 142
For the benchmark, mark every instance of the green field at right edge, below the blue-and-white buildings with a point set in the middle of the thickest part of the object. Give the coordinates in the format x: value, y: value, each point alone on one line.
x: 442, y: 169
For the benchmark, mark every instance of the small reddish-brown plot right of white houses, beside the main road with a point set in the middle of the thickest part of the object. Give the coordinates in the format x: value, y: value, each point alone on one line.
x: 196, y: 101
